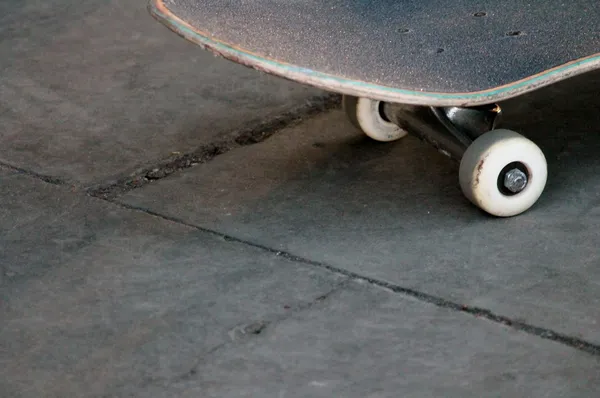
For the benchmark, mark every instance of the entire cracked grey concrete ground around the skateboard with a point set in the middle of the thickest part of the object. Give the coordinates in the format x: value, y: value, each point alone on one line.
x: 174, y: 225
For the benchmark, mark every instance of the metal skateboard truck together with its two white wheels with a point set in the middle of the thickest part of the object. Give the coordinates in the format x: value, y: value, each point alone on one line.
x: 501, y: 171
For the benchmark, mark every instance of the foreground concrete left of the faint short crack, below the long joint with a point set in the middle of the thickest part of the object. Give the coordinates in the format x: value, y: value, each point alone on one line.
x: 95, y: 299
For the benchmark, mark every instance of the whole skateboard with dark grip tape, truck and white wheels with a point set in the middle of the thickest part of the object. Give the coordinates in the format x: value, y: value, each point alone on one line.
x: 428, y: 68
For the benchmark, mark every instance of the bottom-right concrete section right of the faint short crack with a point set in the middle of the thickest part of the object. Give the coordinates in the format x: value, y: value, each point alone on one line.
x: 388, y: 347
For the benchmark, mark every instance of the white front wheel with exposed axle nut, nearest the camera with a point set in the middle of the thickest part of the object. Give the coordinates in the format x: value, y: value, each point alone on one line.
x: 503, y: 173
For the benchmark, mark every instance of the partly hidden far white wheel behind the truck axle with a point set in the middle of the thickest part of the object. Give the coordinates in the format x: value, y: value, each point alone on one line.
x: 365, y: 114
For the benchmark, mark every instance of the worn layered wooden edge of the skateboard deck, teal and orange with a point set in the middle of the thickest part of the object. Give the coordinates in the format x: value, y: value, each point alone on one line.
x: 341, y: 85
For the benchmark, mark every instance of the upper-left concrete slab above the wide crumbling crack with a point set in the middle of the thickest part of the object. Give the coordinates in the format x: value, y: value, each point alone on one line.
x: 95, y: 89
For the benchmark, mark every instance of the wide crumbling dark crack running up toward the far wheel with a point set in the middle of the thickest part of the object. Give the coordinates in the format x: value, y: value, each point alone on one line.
x: 241, y: 138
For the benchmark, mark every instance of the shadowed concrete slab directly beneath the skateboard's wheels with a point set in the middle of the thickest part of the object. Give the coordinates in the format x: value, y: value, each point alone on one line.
x: 394, y: 211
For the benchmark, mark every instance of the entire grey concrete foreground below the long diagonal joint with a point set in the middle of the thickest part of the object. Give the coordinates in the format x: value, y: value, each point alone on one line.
x: 98, y: 301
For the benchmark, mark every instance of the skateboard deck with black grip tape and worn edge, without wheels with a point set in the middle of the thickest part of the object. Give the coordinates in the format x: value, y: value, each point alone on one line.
x: 421, y: 52
